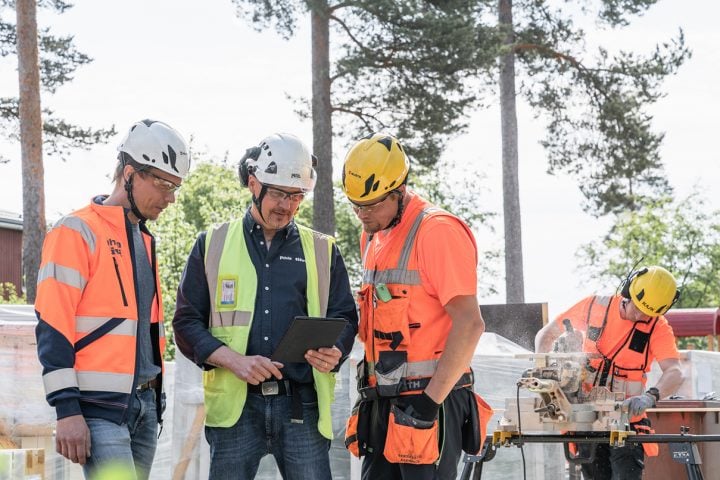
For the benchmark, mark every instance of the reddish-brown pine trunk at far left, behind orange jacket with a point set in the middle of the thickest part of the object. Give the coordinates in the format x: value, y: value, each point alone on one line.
x: 30, y: 144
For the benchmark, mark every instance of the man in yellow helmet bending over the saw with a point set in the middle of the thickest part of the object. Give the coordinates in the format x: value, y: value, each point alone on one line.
x: 629, y: 331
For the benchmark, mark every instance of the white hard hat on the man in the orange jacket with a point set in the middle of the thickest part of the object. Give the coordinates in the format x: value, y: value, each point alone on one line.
x: 158, y: 145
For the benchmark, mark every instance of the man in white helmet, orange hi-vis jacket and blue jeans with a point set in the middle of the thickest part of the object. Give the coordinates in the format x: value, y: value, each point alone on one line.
x: 100, y: 334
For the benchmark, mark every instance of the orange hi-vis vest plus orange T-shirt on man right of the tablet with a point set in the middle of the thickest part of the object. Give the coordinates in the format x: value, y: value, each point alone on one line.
x: 403, y: 323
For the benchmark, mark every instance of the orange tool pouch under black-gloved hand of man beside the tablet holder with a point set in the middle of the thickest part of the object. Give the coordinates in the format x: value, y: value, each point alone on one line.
x: 410, y: 440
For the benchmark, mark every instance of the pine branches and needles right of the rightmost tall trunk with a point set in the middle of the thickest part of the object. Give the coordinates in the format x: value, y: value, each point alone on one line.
x: 599, y: 130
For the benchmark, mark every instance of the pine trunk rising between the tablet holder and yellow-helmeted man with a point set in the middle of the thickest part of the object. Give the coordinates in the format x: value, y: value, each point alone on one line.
x: 323, y: 206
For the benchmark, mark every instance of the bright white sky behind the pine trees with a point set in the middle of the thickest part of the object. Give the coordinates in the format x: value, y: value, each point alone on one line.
x: 211, y: 76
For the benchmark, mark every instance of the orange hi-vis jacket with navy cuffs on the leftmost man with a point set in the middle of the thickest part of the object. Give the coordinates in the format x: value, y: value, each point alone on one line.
x: 87, y: 313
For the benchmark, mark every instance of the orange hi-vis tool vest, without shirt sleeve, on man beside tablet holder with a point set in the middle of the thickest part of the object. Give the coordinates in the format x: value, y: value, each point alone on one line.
x: 400, y: 349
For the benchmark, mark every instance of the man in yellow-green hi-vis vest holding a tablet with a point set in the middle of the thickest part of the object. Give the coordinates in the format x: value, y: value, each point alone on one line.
x: 243, y: 284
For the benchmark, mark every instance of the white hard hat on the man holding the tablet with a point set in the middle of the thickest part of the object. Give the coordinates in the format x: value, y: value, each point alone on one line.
x: 282, y: 159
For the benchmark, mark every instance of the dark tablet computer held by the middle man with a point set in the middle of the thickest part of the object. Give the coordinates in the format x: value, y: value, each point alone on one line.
x: 307, y: 333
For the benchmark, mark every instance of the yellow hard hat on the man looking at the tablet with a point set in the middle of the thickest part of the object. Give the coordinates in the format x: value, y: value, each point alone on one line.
x: 374, y: 166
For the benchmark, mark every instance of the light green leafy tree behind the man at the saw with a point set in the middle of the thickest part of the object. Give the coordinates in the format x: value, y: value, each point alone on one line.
x: 678, y: 235
